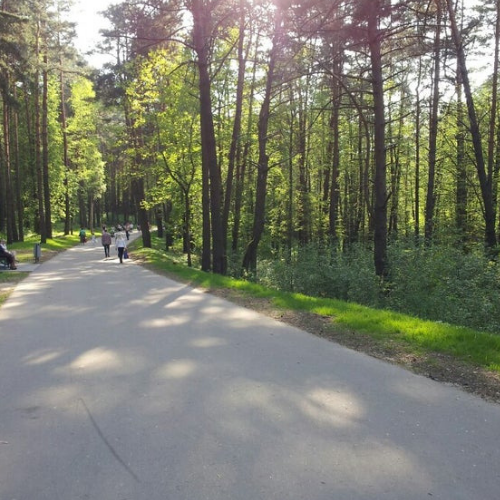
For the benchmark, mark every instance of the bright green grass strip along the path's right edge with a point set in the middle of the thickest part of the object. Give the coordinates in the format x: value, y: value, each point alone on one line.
x: 412, y: 335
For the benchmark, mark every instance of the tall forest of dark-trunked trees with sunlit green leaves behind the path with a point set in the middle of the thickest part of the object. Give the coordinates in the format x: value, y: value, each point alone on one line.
x: 338, y: 148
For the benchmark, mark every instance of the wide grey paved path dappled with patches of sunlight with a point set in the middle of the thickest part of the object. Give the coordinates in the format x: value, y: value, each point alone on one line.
x: 118, y: 384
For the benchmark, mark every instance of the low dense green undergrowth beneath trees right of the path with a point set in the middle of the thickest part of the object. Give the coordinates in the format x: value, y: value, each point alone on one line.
x: 438, y: 283
